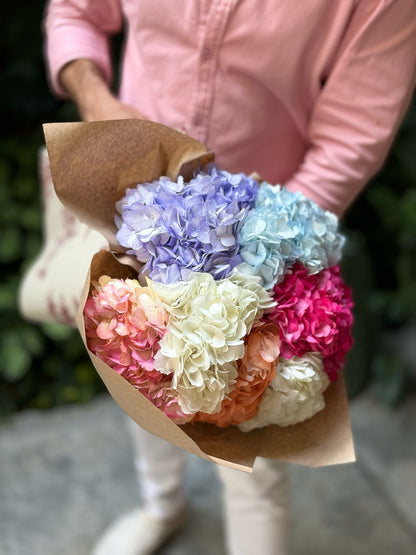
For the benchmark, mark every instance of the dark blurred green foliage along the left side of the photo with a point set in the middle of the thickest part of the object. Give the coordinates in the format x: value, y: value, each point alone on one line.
x: 39, y: 366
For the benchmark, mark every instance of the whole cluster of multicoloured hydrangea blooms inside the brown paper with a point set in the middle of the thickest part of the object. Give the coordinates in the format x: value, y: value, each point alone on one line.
x: 235, y: 312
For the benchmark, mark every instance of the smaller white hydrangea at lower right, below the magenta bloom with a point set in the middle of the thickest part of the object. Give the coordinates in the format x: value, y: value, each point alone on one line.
x: 295, y: 394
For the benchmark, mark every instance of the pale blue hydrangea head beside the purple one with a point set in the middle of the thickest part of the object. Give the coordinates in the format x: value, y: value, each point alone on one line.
x: 283, y: 228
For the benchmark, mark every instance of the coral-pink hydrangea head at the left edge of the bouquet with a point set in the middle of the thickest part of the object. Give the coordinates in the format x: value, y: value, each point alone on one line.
x: 124, y: 323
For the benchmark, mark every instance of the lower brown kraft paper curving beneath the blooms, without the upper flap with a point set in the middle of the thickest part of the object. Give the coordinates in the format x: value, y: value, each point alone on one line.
x: 322, y: 440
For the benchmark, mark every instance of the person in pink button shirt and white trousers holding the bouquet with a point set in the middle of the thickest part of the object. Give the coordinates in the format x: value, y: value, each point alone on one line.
x: 310, y: 95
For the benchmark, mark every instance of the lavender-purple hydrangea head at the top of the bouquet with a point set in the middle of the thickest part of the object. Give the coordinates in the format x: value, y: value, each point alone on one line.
x: 178, y: 228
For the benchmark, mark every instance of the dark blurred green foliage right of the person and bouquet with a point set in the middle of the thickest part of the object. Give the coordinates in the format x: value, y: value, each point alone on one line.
x: 380, y: 265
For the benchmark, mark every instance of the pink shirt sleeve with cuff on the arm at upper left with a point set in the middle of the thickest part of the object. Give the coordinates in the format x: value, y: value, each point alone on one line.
x: 77, y: 29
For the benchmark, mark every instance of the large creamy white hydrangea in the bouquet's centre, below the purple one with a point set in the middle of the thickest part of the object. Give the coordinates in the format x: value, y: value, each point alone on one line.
x: 205, y: 337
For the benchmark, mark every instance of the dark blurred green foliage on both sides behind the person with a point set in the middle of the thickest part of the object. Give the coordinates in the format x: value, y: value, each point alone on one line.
x: 43, y: 366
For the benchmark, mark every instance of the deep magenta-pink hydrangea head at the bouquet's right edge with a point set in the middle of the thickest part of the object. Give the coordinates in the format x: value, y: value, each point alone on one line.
x: 314, y: 314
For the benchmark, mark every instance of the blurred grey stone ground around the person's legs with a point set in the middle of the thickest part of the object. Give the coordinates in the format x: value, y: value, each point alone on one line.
x: 64, y: 475
